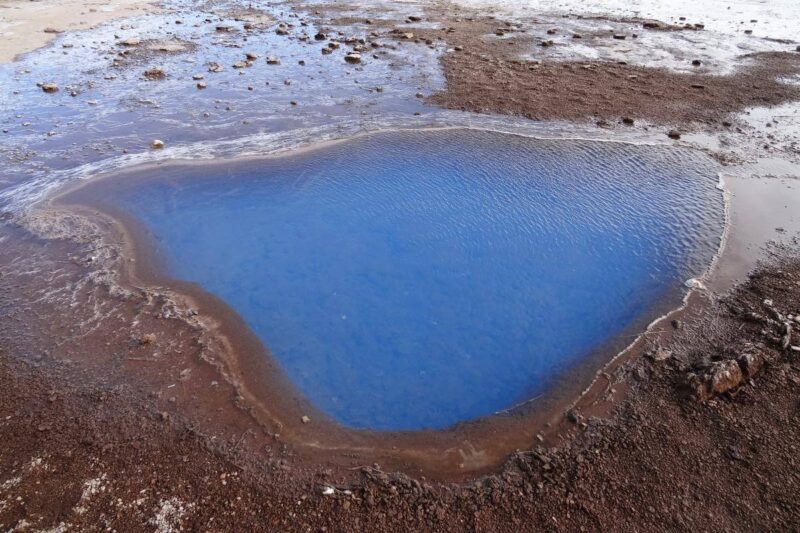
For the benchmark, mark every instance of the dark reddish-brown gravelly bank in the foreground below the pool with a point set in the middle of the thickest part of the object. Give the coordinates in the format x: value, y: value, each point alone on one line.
x: 118, y: 460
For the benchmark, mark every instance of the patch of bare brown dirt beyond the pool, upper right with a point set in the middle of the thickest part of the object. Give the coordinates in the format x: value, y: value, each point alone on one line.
x: 486, y: 75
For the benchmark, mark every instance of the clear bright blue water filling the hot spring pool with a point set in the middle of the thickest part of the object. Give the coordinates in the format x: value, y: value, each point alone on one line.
x: 415, y: 280
